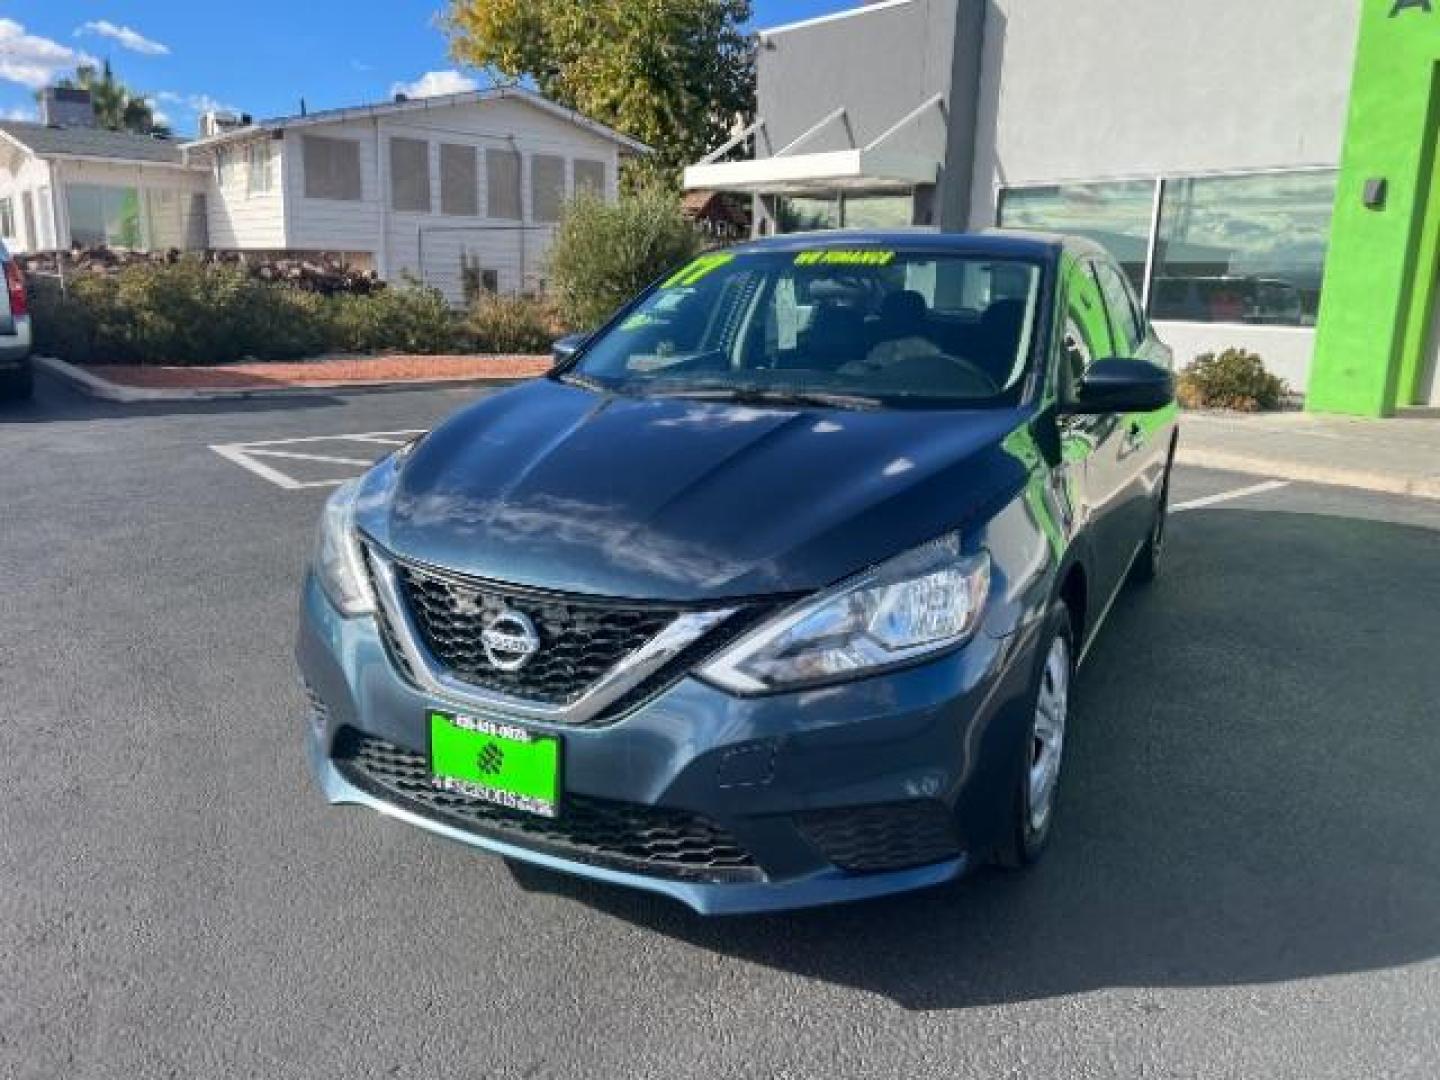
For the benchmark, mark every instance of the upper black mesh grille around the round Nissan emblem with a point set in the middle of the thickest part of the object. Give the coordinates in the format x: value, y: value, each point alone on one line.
x: 581, y: 639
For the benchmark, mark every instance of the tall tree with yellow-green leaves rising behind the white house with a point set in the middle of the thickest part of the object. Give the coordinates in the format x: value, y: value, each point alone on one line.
x: 675, y: 74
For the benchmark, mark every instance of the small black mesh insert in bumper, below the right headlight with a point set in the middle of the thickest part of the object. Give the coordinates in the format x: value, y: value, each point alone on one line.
x: 888, y: 837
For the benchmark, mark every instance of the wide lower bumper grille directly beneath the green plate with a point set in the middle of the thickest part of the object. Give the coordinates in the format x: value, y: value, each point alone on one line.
x: 647, y: 840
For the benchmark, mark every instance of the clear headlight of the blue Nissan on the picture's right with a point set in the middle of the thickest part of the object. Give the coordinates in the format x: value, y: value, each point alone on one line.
x: 919, y: 604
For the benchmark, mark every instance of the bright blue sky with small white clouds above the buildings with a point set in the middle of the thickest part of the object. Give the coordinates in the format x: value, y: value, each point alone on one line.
x: 258, y: 58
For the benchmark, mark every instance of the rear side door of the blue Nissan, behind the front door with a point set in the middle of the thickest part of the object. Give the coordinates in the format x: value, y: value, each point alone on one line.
x: 1144, y: 450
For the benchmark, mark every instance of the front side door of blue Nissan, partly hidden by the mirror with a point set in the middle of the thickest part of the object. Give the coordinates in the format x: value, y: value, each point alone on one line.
x: 1094, y: 443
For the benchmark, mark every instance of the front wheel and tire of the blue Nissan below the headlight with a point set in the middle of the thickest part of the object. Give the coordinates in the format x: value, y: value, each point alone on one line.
x: 1043, y: 750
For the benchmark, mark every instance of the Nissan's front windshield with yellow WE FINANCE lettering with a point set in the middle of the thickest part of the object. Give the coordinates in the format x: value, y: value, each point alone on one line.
x: 847, y: 328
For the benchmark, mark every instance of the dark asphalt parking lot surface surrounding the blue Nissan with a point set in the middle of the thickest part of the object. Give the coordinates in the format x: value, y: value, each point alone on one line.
x: 1246, y: 879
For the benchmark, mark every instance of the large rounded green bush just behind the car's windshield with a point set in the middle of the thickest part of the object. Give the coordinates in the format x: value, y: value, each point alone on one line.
x: 606, y: 253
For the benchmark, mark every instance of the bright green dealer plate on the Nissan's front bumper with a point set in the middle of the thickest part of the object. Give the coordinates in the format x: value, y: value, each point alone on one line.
x: 496, y: 762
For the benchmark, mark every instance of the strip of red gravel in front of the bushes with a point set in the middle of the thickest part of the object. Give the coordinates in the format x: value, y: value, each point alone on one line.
x: 328, y: 372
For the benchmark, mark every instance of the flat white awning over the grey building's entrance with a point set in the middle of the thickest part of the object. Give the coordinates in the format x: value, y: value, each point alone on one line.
x: 860, y: 169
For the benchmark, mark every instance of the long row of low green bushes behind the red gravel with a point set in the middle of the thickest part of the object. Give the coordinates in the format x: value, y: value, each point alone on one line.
x: 198, y: 313
